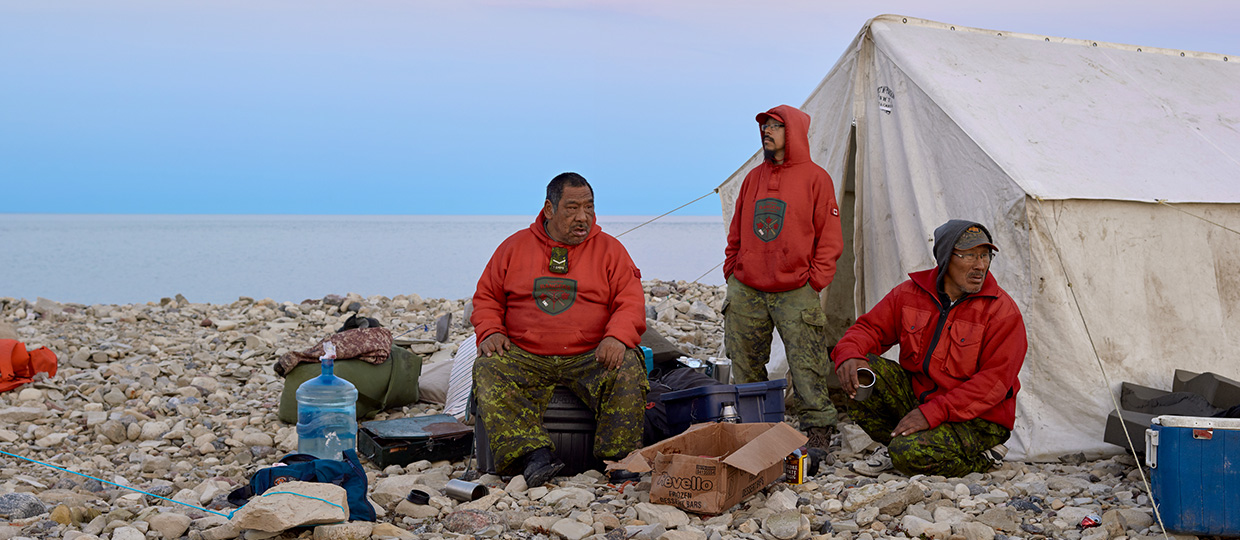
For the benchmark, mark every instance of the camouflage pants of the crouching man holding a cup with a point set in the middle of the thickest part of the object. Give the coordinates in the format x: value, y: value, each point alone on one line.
x: 950, y: 450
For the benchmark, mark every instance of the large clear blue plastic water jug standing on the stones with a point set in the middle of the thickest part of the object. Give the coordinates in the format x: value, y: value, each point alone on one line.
x: 327, y: 412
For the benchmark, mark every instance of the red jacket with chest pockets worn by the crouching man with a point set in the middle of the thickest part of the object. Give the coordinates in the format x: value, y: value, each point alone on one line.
x: 979, y: 348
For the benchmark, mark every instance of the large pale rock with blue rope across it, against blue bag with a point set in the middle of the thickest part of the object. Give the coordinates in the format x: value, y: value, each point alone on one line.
x: 301, y: 506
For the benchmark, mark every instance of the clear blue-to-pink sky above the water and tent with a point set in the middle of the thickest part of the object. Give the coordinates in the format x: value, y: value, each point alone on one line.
x: 442, y: 107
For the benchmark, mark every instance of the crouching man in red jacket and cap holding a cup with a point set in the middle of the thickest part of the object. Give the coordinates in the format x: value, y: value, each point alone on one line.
x: 949, y: 405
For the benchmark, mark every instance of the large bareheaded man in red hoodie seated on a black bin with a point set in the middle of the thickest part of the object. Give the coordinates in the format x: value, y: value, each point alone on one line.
x: 560, y: 304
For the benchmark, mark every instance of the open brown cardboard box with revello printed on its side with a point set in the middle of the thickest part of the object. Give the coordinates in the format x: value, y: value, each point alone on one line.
x: 712, y: 467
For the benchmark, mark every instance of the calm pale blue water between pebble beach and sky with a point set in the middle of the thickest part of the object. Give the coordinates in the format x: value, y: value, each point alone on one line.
x: 122, y: 260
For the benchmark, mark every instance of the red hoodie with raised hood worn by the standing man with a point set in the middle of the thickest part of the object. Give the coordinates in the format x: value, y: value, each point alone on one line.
x: 786, y: 229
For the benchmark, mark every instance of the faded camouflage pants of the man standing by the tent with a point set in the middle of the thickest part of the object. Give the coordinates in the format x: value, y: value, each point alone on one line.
x: 750, y: 318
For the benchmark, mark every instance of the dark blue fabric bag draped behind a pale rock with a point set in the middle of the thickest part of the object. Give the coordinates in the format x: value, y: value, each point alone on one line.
x: 347, y: 474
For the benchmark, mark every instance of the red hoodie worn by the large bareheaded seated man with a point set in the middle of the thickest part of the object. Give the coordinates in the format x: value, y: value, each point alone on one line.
x: 565, y: 315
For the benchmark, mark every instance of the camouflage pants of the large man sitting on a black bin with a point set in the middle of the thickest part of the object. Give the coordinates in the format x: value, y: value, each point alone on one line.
x: 514, y: 389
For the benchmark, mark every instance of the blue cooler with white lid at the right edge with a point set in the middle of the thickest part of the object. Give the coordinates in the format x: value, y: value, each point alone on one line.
x: 1195, y: 467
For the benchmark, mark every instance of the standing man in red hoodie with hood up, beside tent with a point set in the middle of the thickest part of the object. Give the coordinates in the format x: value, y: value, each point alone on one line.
x: 782, y: 254
